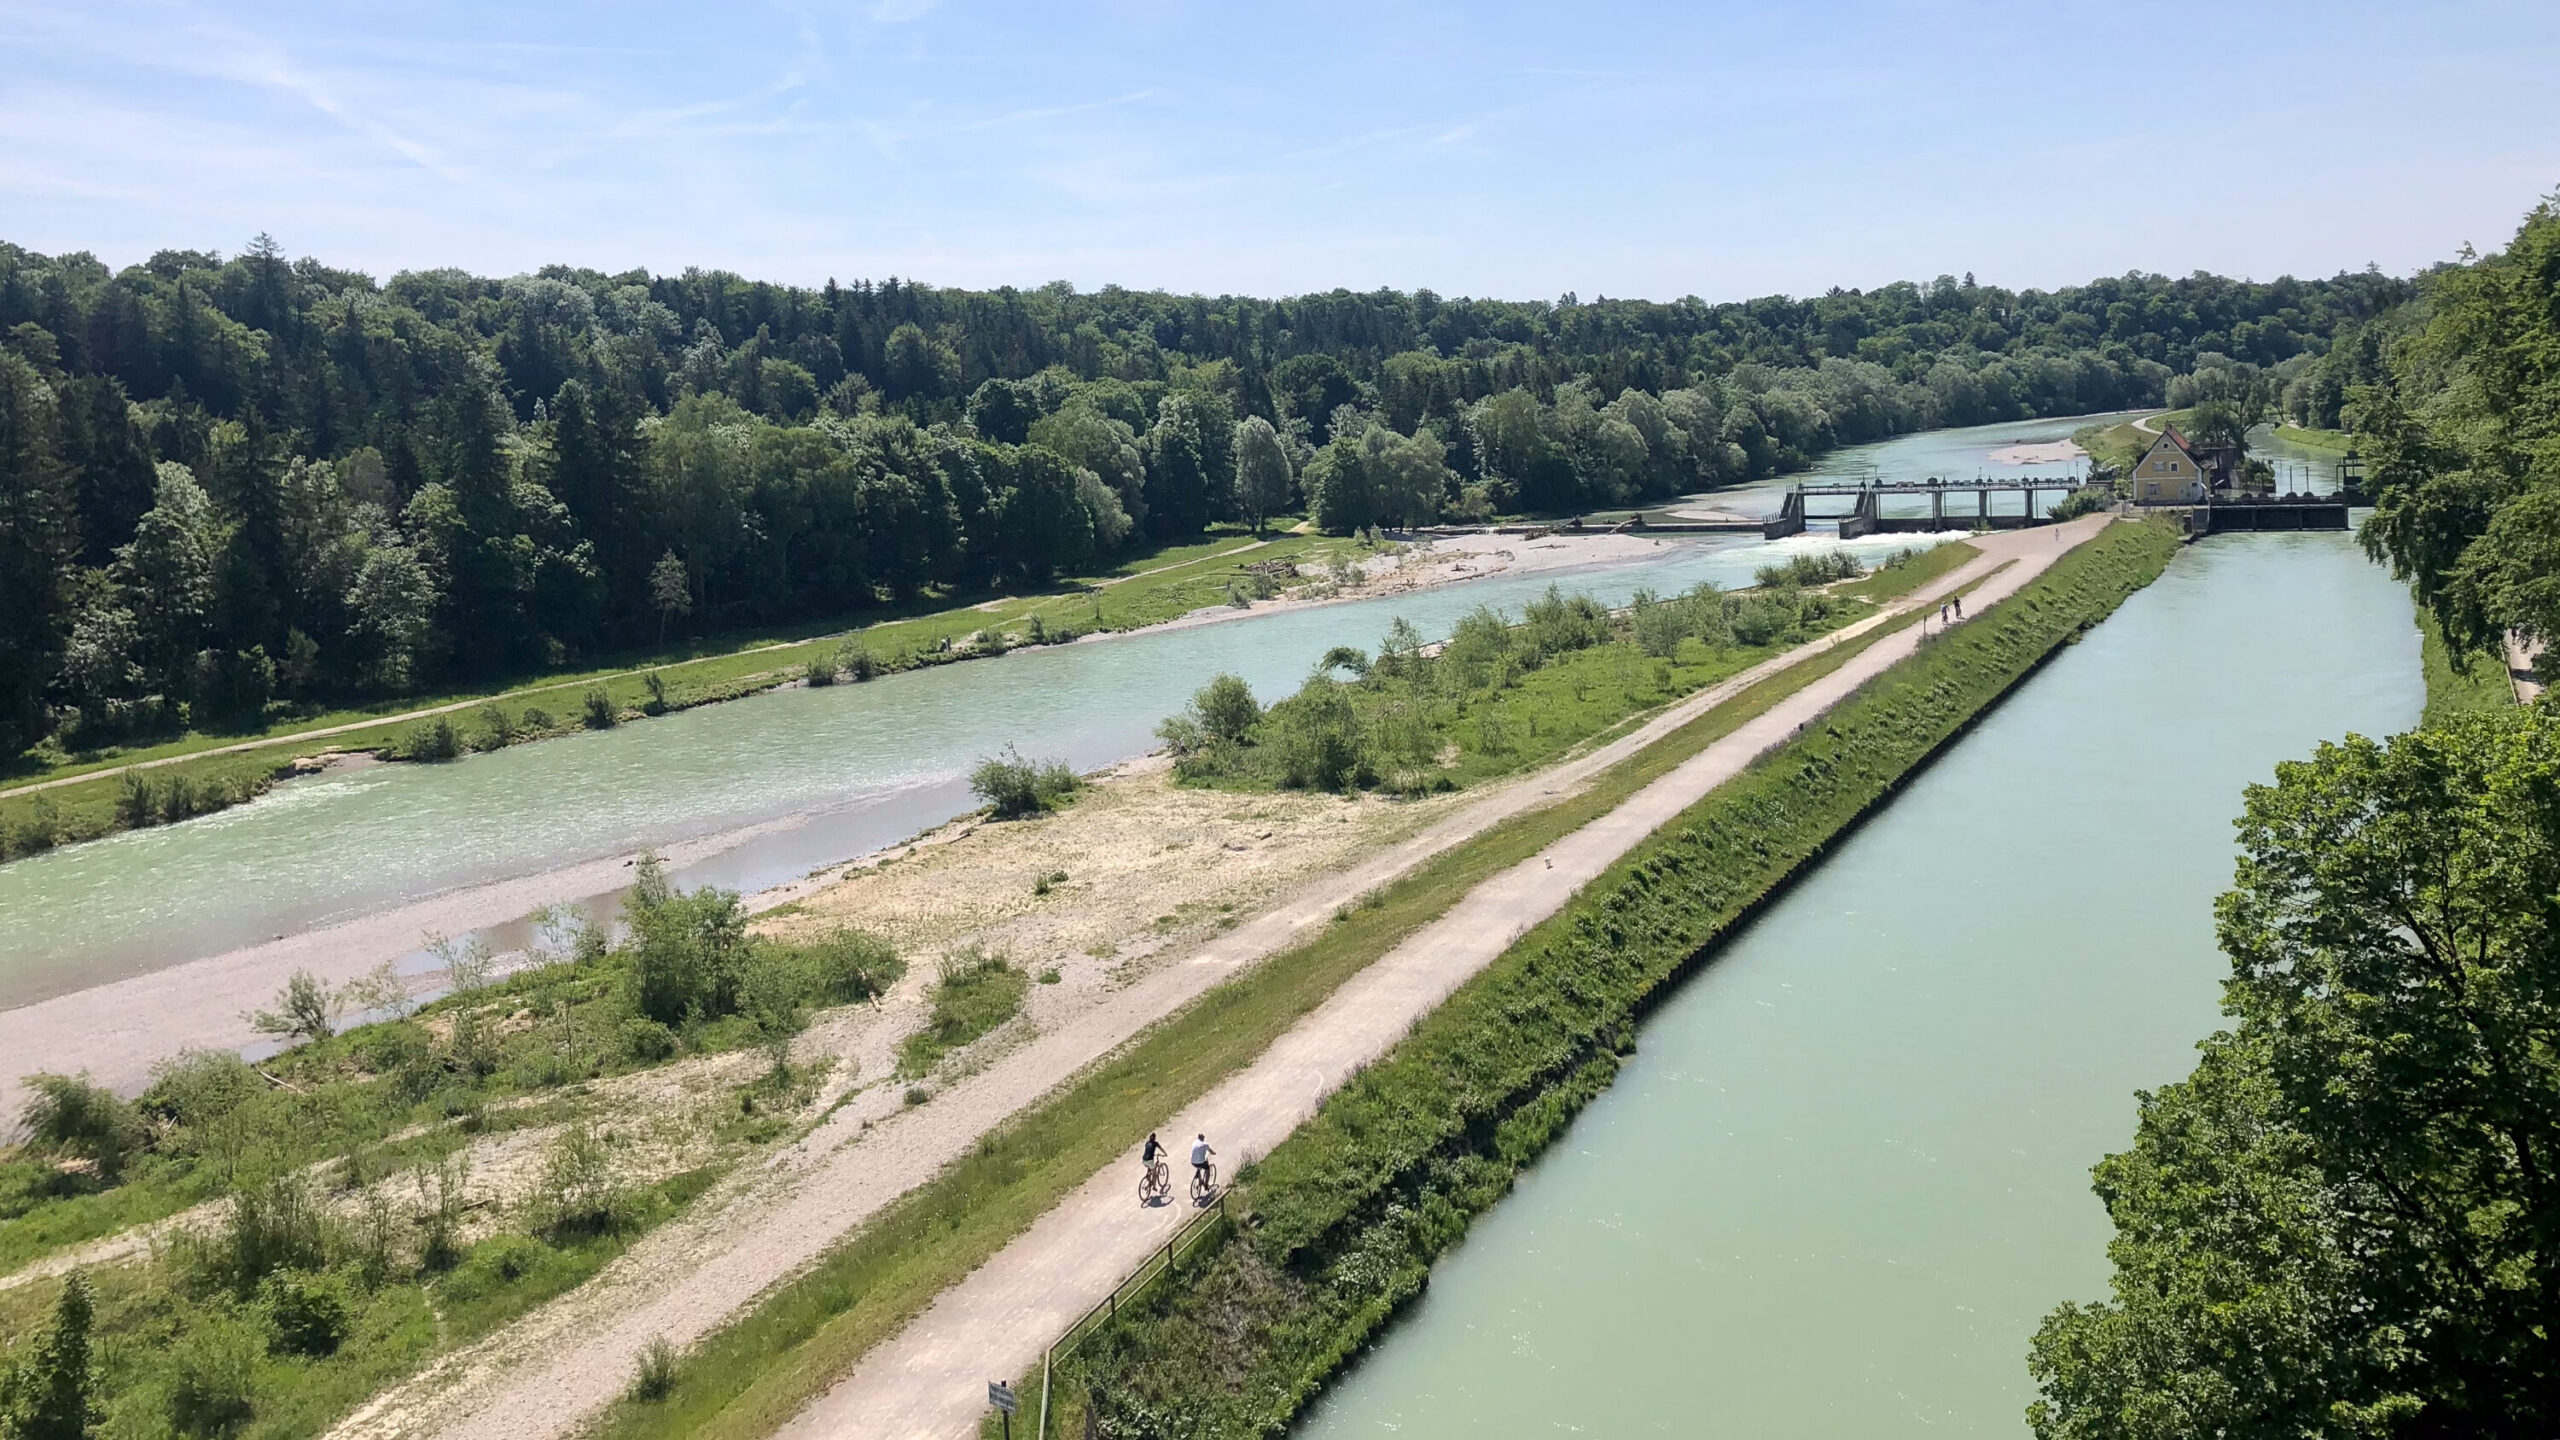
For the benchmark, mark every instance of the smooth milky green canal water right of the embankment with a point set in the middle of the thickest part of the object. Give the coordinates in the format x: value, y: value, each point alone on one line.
x: 1850, y: 1165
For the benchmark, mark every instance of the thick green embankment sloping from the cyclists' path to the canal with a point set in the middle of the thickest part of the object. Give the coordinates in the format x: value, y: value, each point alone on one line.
x: 1348, y: 1216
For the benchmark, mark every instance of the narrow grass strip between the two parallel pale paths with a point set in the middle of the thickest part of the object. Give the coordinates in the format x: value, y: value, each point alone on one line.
x: 767, y: 1364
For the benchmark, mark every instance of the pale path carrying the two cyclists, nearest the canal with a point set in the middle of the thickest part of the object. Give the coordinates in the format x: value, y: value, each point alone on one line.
x: 931, y: 1380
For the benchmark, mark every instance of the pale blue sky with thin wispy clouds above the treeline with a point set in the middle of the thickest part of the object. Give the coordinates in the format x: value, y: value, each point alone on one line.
x: 1274, y: 150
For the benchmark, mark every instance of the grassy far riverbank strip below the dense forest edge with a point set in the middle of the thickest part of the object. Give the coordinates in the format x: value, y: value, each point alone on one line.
x: 1140, y: 593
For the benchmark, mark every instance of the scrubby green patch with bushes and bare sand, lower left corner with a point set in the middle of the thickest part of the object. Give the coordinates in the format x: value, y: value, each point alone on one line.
x: 352, y: 1247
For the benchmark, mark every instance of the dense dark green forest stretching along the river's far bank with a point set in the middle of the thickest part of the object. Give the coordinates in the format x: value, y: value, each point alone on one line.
x: 247, y: 483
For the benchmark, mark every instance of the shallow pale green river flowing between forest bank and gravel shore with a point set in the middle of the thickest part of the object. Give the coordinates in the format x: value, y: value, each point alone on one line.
x: 797, y: 778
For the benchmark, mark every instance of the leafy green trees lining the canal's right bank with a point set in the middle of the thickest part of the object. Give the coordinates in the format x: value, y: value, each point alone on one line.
x: 2344, y: 1221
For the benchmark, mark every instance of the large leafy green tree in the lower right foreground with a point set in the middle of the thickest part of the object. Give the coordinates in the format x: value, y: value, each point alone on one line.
x: 2341, y: 1221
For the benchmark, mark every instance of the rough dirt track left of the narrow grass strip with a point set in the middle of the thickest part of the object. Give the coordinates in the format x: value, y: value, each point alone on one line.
x: 570, y: 1359
